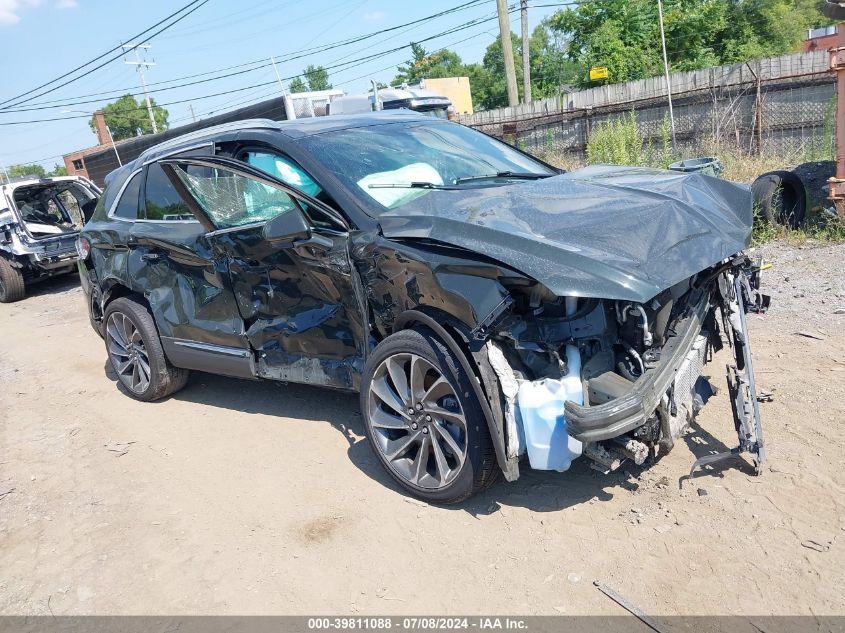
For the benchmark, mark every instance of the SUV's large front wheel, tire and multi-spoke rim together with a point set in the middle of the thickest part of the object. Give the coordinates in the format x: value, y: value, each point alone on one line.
x: 423, y: 420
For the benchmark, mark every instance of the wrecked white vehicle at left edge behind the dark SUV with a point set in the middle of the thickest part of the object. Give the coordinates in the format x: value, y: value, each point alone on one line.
x: 40, y: 219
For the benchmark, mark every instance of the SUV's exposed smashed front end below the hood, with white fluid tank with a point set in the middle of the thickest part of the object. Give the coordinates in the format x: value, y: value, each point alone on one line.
x: 627, y: 375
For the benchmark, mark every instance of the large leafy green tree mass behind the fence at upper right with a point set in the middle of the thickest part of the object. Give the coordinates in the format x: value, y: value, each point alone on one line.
x: 624, y: 35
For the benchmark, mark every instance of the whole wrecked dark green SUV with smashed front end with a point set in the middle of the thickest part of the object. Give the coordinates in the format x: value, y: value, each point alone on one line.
x: 486, y: 306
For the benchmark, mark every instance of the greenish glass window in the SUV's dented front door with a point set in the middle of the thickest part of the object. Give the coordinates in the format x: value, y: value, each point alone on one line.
x: 231, y: 200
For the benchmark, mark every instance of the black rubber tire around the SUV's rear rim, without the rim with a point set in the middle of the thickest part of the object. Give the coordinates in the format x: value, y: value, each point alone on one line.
x: 164, y: 379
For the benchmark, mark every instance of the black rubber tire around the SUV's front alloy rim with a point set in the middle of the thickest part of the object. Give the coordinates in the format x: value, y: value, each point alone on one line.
x: 479, y: 468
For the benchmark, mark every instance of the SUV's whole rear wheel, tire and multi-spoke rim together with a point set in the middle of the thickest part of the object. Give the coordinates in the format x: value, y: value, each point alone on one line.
x: 135, y: 352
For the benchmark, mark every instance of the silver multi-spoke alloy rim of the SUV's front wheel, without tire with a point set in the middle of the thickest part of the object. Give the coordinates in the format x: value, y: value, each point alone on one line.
x: 417, y: 421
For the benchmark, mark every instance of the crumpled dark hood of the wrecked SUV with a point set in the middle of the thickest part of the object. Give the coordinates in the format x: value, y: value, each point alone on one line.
x: 609, y: 232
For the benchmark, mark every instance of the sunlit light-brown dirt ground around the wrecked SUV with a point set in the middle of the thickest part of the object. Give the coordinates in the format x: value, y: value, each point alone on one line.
x: 253, y: 497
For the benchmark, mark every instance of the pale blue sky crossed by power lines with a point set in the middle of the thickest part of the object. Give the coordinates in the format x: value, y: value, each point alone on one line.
x: 41, y: 39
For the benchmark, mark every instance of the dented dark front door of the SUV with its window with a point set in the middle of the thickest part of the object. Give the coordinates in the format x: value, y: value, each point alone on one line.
x: 297, y: 301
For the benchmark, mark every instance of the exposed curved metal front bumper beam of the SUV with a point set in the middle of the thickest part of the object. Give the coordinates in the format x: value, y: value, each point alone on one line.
x: 628, y: 412
